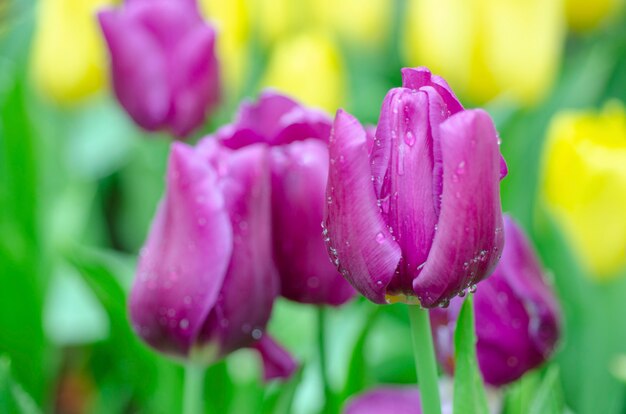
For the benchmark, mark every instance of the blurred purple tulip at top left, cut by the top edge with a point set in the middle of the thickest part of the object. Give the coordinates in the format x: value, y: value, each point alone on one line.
x: 163, y: 64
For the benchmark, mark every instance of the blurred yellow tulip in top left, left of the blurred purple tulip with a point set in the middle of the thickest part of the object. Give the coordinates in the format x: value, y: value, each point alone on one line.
x: 69, y: 60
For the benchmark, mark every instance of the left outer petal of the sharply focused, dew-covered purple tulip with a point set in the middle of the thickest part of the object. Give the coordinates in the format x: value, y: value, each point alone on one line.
x: 355, y: 228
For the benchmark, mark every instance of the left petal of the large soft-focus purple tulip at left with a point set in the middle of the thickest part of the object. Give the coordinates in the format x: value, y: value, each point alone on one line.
x: 183, y: 264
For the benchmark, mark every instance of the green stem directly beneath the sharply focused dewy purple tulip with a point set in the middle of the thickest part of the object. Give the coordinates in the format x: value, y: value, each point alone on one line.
x: 425, y: 364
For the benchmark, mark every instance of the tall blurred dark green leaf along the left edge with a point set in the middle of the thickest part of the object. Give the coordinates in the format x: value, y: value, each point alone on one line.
x: 22, y: 252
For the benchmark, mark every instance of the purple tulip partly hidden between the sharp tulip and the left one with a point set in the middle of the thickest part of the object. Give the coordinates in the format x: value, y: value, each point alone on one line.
x: 298, y: 145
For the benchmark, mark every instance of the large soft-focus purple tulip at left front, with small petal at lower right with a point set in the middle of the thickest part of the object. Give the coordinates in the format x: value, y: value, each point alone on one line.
x: 206, y: 281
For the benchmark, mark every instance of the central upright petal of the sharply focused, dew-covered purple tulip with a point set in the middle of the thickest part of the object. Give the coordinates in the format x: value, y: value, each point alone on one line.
x: 403, y: 153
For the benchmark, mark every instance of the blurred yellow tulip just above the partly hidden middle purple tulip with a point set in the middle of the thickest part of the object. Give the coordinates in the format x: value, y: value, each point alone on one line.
x: 309, y: 67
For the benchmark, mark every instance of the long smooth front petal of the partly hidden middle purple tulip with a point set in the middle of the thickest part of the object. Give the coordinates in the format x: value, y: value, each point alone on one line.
x: 299, y: 175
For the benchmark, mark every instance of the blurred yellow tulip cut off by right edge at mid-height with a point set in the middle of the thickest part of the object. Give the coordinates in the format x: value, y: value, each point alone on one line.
x: 584, y: 185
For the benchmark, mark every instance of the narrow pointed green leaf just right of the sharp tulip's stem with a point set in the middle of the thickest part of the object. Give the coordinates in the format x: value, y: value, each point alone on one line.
x: 469, y: 393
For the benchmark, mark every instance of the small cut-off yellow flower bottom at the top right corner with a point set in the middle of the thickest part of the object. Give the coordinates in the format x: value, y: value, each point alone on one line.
x: 586, y: 15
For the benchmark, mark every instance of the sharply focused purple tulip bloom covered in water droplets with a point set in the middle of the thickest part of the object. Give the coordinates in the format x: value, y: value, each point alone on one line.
x: 418, y: 214
